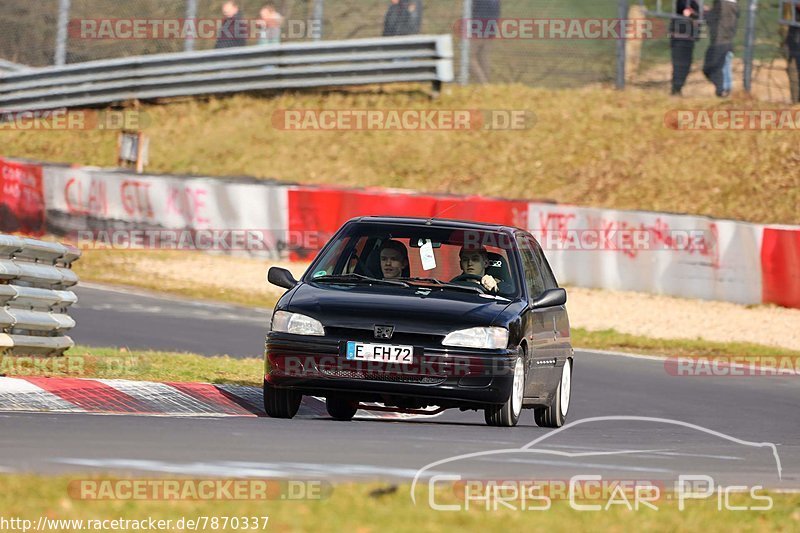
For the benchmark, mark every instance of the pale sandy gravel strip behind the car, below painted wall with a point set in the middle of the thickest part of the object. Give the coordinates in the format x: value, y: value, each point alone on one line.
x: 634, y: 313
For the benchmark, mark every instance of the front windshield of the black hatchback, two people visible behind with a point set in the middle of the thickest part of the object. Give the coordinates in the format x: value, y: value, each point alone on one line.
x: 417, y: 255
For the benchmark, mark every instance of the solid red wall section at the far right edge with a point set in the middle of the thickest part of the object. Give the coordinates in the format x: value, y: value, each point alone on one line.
x: 780, y: 256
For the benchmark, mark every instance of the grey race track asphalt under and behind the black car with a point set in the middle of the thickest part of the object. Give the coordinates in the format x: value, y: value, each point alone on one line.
x: 724, y: 427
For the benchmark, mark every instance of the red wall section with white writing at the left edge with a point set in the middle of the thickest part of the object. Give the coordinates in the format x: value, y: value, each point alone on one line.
x: 21, y: 198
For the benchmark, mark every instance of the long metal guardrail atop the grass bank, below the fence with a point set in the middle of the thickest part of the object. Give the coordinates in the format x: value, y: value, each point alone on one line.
x: 287, y: 66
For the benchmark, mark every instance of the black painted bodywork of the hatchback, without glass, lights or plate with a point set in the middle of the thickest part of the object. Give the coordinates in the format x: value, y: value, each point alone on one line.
x: 448, y: 376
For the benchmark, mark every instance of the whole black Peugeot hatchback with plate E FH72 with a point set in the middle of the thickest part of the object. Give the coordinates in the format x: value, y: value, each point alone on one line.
x: 419, y: 314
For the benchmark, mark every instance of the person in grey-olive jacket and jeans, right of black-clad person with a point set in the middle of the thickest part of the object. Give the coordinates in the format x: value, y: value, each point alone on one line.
x: 722, y: 23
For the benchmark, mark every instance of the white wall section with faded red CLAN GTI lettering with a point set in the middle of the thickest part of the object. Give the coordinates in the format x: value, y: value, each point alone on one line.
x: 208, y: 214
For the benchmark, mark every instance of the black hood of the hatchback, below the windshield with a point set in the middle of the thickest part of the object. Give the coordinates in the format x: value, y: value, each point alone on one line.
x: 412, y: 309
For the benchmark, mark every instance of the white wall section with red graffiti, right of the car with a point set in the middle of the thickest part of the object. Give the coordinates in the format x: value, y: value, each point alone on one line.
x: 678, y: 255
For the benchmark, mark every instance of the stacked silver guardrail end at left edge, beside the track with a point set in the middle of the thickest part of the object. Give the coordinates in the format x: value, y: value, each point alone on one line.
x: 34, y: 298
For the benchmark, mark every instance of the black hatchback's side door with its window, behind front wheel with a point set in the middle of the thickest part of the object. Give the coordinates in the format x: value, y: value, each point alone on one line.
x: 539, y: 327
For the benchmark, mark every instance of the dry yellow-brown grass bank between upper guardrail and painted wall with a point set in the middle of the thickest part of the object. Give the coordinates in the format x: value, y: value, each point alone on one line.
x: 590, y: 147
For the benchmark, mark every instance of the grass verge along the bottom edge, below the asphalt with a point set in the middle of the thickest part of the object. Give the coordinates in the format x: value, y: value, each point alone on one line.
x: 352, y: 507
